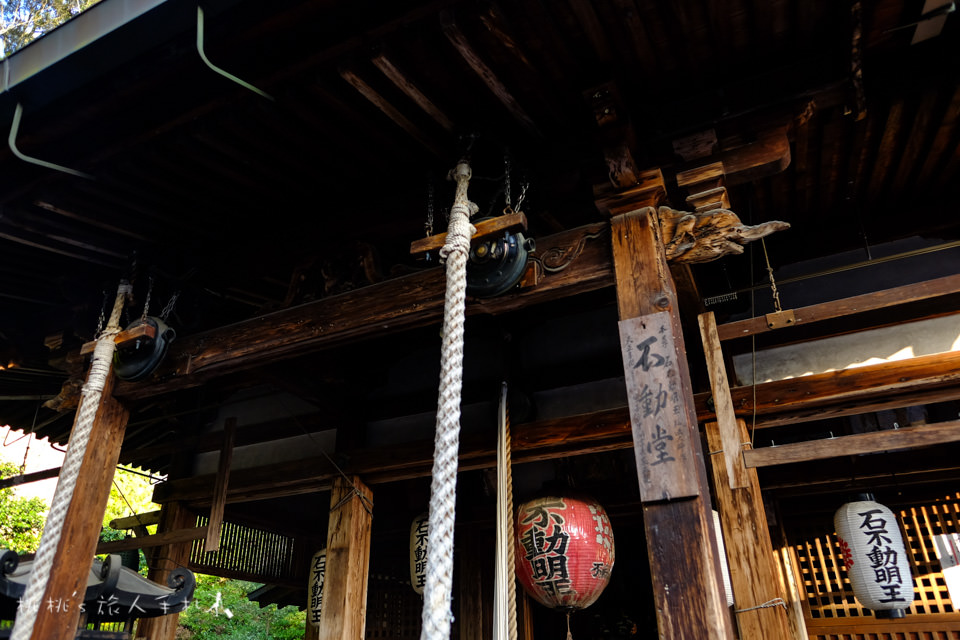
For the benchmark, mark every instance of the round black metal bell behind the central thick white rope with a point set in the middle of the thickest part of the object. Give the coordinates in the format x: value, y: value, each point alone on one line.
x: 497, y: 265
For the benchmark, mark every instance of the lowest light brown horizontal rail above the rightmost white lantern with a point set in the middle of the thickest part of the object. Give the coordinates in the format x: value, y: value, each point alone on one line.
x: 873, y: 442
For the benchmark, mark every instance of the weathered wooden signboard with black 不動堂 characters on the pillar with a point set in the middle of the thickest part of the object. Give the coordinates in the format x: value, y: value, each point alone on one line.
x: 657, y: 408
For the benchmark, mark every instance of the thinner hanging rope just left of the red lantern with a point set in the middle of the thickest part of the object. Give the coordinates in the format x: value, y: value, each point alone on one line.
x: 505, y: 586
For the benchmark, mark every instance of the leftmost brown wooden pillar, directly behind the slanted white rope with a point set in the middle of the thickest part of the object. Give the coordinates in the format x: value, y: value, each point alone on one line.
x: 82, y: 523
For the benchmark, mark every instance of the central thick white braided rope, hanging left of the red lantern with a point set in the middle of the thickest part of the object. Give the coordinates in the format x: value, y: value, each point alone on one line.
x: 437, y: 614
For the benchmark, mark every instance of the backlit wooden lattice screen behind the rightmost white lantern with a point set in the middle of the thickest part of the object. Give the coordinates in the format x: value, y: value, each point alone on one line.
x: 832, y: 611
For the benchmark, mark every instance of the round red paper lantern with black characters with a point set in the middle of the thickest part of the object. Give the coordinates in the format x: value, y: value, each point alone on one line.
x: 564, y: 551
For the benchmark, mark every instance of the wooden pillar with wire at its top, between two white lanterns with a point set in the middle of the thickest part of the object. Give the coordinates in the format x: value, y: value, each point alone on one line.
x: 344, y: 611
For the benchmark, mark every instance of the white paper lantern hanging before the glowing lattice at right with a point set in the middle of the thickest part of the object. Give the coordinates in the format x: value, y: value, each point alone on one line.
x: 873, y: 550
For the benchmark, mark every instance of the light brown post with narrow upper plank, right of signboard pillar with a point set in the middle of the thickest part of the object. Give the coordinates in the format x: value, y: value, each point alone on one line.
x: 753, y: 572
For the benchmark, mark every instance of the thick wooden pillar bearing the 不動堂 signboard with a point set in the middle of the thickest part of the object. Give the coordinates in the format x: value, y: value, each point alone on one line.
x: 677, y: 514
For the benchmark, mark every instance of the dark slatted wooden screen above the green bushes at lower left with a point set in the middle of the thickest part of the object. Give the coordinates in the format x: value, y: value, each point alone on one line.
x: 246, y: 553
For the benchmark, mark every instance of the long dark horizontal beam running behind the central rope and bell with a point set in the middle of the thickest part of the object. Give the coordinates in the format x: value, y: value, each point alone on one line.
x: 387, y: 307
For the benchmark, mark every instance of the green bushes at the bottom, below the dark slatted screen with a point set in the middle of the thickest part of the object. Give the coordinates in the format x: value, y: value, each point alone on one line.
x: 206, y: 618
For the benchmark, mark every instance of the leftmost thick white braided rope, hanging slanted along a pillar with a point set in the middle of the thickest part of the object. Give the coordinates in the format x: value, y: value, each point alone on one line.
x: 69, y: 473
